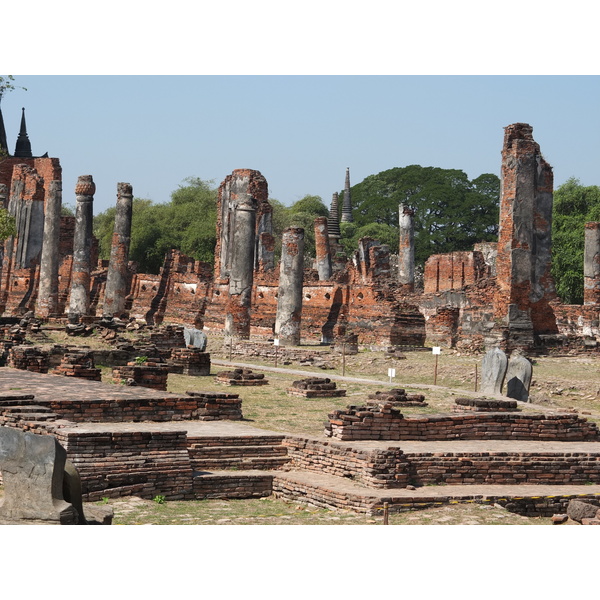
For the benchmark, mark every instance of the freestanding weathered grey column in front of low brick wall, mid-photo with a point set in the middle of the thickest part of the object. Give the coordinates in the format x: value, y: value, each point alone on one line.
x: 289, y: 299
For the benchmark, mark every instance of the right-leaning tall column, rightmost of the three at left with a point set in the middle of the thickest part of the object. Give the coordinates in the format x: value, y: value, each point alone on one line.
x: 117, y: 278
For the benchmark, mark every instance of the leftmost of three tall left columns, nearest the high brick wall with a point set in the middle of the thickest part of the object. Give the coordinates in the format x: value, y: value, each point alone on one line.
x: 47, y: 300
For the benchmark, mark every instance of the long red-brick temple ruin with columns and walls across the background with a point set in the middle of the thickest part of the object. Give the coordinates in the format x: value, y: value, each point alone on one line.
x: 498, y: 294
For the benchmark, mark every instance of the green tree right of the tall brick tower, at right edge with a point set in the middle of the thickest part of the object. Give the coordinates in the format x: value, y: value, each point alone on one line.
x: 574, y: 206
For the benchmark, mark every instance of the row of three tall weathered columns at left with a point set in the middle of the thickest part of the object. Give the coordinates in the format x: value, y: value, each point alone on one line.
x: 116, y: 284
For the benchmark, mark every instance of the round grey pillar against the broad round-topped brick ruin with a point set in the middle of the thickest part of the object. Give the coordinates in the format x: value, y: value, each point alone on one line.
x: 241, y: 274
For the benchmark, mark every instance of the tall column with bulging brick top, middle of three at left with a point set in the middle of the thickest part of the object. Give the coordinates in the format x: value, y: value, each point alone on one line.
x: 82, y: 248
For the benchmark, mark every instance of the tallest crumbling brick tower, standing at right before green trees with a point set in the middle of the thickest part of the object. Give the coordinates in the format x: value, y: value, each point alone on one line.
x: 525, y: 286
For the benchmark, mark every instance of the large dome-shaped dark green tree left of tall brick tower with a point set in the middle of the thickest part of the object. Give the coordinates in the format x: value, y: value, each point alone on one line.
x: 451, y: 212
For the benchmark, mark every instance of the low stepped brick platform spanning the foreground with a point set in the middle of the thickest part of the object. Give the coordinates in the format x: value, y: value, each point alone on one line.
x: 169, y: 451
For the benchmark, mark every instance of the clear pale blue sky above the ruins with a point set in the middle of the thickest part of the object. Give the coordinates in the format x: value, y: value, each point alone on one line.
x: 301, y: 132
